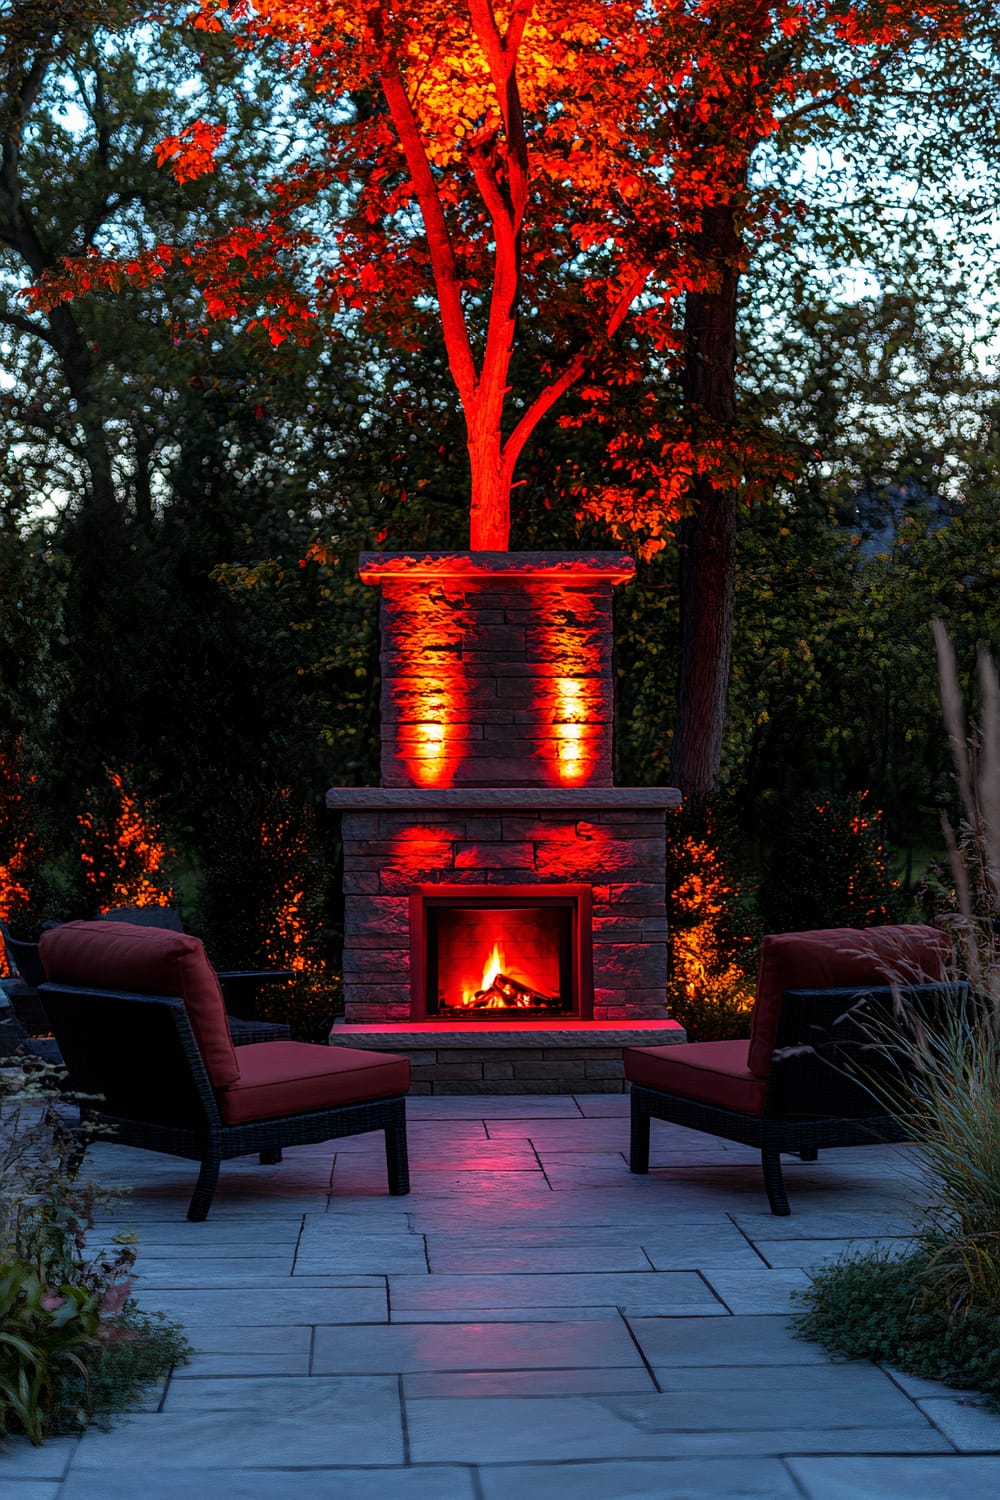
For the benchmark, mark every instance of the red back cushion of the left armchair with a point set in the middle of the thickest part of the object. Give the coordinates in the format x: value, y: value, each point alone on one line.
x: 149, y: 961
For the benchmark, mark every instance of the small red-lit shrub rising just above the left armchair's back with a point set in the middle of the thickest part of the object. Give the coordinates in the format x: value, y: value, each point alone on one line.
x: 122, y: 848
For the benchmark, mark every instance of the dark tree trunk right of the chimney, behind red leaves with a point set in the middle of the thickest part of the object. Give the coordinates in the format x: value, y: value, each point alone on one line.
x: 708, y: 536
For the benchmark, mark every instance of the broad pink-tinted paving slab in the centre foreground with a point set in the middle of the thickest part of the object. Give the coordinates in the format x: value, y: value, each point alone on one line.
x: 472, y: 1346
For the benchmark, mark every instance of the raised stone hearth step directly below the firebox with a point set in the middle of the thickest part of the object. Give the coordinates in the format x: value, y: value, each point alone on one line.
x: 515, y: 1058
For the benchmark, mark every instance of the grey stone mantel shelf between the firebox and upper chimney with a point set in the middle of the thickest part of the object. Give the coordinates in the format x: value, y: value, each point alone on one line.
x: 501, y: 799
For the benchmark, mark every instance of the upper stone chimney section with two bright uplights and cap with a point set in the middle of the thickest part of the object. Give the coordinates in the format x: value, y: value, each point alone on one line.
x: 497, y: 670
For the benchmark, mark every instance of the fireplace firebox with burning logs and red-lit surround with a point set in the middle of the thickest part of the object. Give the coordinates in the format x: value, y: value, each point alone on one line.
x: 501, y: 955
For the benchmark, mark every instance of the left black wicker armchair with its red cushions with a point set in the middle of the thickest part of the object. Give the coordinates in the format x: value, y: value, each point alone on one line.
x: 140, y: 1021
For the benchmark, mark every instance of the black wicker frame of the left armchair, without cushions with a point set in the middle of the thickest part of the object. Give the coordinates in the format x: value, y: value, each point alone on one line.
x: 139, y: 1055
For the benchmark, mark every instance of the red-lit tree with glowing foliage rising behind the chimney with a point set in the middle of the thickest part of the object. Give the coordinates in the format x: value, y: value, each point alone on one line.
x: 510, y: 166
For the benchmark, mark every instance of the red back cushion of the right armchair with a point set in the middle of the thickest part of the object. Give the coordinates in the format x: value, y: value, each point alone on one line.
x: 837, y: 958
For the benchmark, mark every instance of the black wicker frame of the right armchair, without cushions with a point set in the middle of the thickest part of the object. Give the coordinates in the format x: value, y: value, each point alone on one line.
x: 834, y: 1082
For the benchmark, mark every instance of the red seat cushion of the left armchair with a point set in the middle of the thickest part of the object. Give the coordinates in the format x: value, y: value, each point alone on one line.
x: 296, y: 1078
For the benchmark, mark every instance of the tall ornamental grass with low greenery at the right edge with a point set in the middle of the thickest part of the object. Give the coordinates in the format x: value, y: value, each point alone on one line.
x: 936, y: 1312
